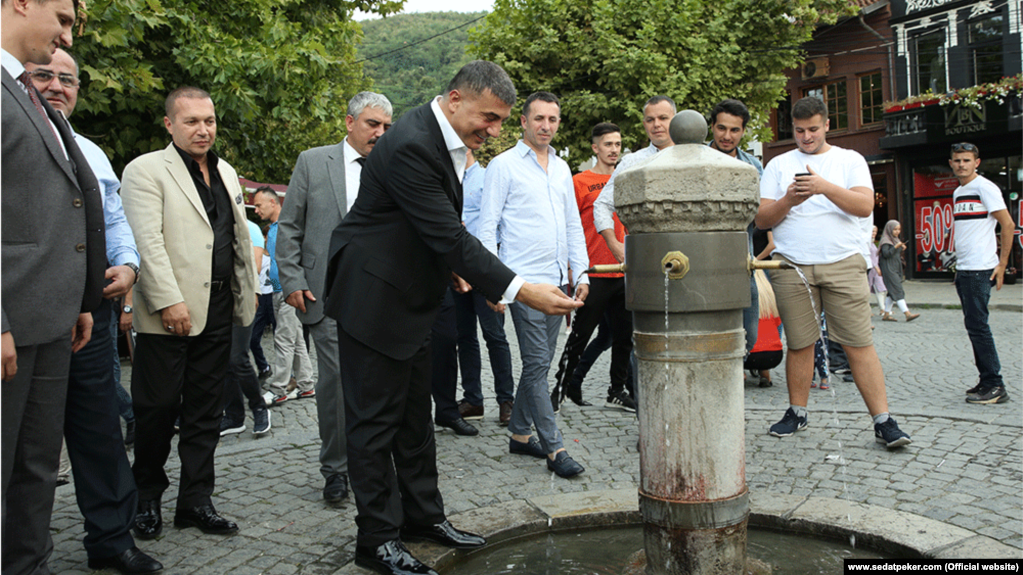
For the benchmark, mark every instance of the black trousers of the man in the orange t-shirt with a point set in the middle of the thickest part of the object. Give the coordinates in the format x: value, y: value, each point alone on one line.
x: 606, y: 295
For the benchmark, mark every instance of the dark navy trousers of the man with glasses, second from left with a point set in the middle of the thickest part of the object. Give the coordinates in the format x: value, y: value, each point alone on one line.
x: 104, y: 483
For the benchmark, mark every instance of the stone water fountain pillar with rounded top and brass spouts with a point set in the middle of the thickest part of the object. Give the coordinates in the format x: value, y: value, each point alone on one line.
x: 688, y: 279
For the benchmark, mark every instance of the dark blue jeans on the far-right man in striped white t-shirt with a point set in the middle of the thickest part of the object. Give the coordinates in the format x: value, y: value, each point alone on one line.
x: 974, y: 289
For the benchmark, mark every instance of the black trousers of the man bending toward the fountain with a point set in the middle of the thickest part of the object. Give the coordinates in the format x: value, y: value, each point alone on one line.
x: 392, y: 456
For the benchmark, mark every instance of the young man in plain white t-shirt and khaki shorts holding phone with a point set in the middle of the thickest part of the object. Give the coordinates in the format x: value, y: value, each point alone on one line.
x: 814, y: 198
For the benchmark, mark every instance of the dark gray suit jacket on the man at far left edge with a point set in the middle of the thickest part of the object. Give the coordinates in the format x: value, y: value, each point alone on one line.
x: 53, y: 250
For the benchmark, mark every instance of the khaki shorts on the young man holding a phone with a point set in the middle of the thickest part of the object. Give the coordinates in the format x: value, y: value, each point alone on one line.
x: 840, y: 287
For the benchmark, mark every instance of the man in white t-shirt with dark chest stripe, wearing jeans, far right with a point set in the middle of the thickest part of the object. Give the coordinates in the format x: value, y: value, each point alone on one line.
x: 978, y: 207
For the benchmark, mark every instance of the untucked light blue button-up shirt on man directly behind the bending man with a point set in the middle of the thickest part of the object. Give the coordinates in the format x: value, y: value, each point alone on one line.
x: 533, y: 215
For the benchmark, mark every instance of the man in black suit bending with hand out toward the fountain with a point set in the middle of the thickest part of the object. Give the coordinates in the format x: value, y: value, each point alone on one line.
x: 391, y: 260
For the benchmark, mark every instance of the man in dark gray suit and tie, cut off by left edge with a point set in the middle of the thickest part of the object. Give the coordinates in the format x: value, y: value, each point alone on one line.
x: 53, y: 254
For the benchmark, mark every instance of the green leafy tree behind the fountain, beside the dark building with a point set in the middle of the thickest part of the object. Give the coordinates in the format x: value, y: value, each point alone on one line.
x: 606, y: 58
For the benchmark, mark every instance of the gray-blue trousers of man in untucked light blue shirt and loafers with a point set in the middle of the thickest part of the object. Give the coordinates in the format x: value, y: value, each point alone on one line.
x: 538, y: 342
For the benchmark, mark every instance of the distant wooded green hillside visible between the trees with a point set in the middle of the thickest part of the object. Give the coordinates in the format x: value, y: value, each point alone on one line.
x: 412, y: 58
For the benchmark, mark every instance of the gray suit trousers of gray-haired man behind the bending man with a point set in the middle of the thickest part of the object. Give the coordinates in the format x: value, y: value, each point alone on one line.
x: 330, y: 400
